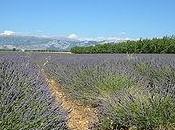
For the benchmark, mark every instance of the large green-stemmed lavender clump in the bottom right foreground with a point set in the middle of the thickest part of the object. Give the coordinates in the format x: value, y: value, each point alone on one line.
x: 139, y: 109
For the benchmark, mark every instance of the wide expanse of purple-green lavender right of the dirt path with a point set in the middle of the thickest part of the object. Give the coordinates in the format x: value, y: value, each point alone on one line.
x: 110, y: 82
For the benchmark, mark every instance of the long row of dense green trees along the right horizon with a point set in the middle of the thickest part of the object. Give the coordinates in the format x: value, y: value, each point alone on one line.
x: 155, y: 45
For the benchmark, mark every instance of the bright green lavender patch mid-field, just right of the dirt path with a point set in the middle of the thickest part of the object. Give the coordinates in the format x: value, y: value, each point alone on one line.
x: 92, y: 85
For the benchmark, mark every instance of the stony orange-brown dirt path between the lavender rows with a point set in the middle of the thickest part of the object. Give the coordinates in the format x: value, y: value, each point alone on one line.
x: 80, y: 117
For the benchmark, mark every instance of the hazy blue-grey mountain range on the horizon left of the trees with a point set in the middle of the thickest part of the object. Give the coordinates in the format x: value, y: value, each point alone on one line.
x: 42, y: 43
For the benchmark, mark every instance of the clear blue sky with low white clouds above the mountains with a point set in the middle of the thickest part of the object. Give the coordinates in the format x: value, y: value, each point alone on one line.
x: 88, y: 18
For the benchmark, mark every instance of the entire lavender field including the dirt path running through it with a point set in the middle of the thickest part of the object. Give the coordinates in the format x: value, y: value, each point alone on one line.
x: 53, y: 91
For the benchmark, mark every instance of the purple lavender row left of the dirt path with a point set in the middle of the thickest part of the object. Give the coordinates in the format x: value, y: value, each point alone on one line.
x: 26, y: 103
